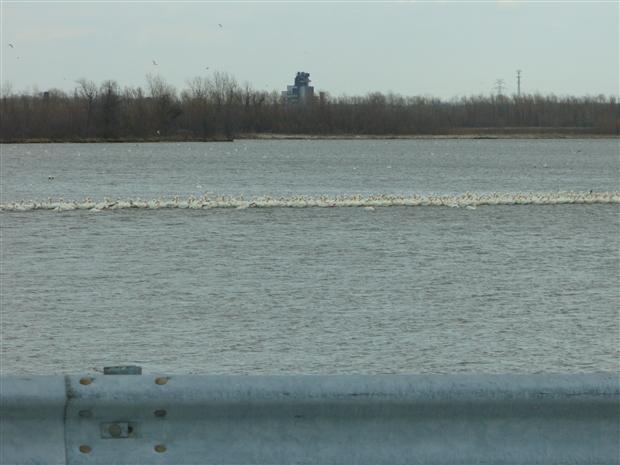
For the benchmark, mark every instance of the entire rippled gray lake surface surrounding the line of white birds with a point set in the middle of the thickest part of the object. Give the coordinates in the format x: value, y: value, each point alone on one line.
x: 493, y: 289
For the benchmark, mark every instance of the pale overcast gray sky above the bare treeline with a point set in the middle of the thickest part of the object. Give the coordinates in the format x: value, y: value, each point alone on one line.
x: 437, y: 48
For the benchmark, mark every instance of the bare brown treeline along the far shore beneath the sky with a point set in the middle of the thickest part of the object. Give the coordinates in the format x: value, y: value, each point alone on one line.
x: 220, y: 108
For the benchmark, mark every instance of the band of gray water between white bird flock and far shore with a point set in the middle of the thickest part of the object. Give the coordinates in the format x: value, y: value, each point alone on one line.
x: 308, y: 168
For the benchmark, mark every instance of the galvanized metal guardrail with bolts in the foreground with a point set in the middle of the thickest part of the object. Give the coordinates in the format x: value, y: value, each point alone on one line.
x: 387, y: 419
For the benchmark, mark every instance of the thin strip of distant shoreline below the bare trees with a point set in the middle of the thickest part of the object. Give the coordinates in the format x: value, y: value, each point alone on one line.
x: 269, y: 136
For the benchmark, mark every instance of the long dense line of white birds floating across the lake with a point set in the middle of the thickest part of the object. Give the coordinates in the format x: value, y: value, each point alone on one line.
x: 466, y: 200
